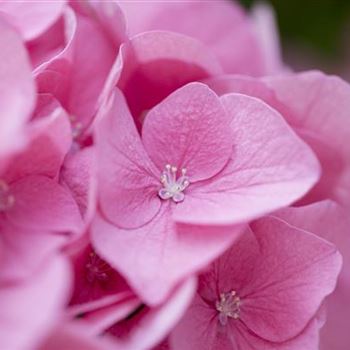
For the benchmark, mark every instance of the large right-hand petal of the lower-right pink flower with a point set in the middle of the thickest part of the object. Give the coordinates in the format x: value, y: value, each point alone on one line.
x: 289, y: 282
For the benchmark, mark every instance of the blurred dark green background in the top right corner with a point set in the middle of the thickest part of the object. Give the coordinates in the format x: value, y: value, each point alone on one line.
x: 314, y: 33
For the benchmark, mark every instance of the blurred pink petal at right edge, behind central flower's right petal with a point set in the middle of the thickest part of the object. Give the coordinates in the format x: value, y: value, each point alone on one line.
x: 319, y: 107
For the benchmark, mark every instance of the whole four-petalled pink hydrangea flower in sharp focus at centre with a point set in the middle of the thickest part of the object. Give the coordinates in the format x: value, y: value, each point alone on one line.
x: 201, y: 161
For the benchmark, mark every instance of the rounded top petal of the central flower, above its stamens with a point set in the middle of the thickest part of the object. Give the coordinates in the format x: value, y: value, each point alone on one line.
x: 189, y: 129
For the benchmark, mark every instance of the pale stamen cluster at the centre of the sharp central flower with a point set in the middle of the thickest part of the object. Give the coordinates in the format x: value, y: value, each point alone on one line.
x: 172, y: 187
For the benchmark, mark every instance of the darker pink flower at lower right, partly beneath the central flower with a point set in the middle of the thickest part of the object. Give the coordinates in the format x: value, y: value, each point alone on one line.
x: 263, y: 293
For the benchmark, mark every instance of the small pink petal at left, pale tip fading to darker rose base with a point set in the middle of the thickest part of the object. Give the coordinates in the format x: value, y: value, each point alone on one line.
x: 50, y: 140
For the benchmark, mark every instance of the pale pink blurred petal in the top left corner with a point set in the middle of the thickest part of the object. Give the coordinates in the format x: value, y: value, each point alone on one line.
x: 32, y: 19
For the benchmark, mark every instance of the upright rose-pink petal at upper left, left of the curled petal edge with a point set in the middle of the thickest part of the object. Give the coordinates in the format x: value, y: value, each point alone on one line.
x: 95, y: 52
